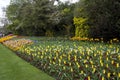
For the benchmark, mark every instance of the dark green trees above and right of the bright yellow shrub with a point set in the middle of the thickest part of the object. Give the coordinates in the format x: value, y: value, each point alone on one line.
x: 103, y: 17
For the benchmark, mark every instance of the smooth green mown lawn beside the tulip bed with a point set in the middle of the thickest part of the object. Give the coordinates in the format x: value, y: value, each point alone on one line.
x: 14, y: 68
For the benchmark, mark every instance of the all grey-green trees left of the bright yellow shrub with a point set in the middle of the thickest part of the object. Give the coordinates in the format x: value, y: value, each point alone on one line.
x: 41, y: 18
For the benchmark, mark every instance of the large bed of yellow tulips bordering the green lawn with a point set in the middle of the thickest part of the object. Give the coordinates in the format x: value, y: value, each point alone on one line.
x: 73, y: 60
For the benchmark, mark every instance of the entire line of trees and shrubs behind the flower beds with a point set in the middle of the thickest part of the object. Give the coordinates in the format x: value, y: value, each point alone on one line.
x: 86, y: 18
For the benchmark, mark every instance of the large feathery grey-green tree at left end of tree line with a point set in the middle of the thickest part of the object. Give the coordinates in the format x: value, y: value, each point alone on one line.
x: 26, y: 15
